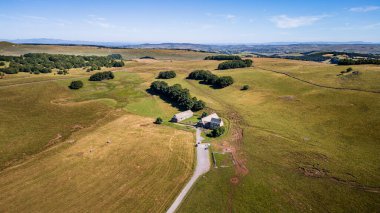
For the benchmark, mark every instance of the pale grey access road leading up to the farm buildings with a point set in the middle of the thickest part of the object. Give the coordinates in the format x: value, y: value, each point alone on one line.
x: 203, y: 166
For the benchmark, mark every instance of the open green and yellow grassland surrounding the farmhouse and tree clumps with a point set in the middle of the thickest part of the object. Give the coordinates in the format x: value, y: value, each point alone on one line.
x: 301, y: 138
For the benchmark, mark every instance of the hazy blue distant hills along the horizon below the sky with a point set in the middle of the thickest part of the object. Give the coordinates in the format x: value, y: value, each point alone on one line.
x: 262, y: 48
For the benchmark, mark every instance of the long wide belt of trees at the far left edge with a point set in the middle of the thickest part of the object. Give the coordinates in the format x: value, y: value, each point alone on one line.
x: 44, y: 63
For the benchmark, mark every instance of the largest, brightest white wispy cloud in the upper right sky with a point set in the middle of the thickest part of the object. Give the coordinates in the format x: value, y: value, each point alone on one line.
x: 284, y: 21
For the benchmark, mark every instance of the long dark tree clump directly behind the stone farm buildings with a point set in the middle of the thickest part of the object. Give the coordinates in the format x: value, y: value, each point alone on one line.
x: 180, y: 96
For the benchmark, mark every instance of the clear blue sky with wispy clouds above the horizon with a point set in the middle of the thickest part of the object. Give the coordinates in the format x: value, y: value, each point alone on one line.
x: 196, y: 21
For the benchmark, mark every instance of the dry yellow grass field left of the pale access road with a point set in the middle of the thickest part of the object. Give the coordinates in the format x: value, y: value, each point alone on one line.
x: 141, y: 168
